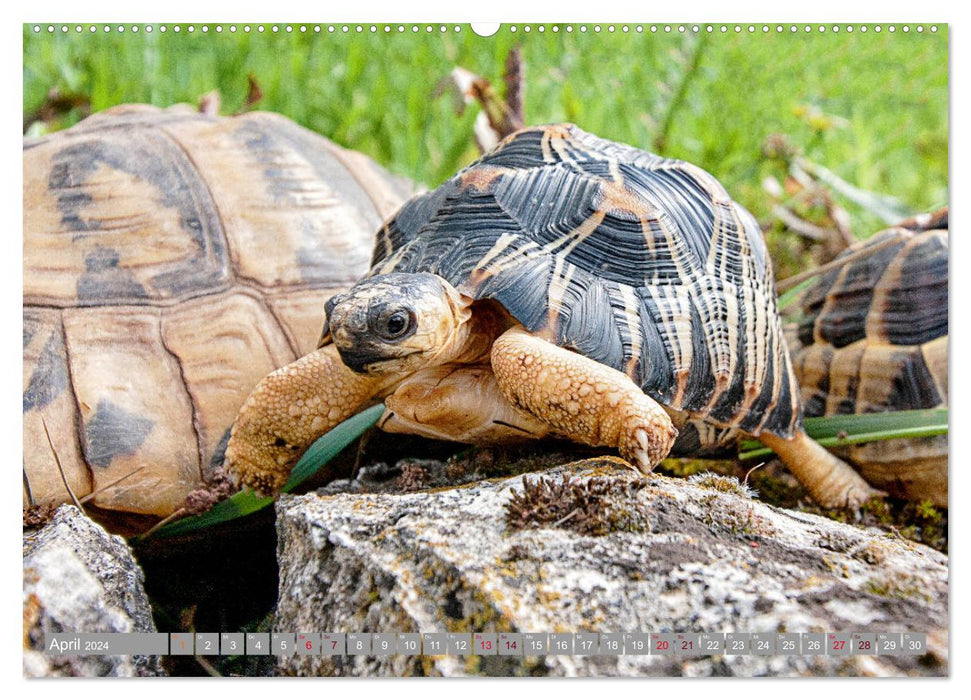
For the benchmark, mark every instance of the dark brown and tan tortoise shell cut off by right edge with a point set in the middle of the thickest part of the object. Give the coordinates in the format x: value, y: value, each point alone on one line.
x: 873, y: 338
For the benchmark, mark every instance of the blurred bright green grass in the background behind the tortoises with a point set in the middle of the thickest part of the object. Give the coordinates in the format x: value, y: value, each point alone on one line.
x: 710, y: 99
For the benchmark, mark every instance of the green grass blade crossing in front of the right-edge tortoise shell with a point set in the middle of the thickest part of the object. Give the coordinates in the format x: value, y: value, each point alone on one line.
x: 837, y: 431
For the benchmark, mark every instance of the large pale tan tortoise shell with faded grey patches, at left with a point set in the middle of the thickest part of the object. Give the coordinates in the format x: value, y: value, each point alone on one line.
x: 171, y: 260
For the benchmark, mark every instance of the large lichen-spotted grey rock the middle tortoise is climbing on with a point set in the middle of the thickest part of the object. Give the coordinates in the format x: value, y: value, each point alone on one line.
x: 676, y: 556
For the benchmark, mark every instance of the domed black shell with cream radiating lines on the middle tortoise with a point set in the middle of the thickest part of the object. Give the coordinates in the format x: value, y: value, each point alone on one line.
x: 642, y: 263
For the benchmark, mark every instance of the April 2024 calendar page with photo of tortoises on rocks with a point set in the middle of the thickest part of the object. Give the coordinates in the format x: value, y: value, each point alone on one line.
x: 549, y: 349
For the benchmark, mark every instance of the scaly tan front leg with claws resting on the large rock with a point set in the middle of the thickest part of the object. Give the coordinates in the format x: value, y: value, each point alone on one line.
x: 581, y: 398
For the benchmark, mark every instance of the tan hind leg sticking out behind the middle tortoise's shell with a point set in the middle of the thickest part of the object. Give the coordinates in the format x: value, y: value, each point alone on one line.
x: 830, y: 480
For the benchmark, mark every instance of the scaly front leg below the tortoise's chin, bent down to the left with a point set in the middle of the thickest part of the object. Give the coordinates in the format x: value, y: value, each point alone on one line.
x: 287, y: 411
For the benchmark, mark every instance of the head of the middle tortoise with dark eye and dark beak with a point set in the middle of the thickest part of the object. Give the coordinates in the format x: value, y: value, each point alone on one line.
x: 397, y: 323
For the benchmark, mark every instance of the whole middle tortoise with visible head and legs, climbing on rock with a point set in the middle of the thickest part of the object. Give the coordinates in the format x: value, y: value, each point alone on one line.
x: 562, y: 284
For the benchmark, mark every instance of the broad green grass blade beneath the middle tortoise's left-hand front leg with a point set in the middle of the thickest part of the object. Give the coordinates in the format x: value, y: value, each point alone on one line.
x: 246, y: 502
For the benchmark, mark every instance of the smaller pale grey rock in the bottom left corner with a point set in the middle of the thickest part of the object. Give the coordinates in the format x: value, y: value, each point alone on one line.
x: 78, y: 578
